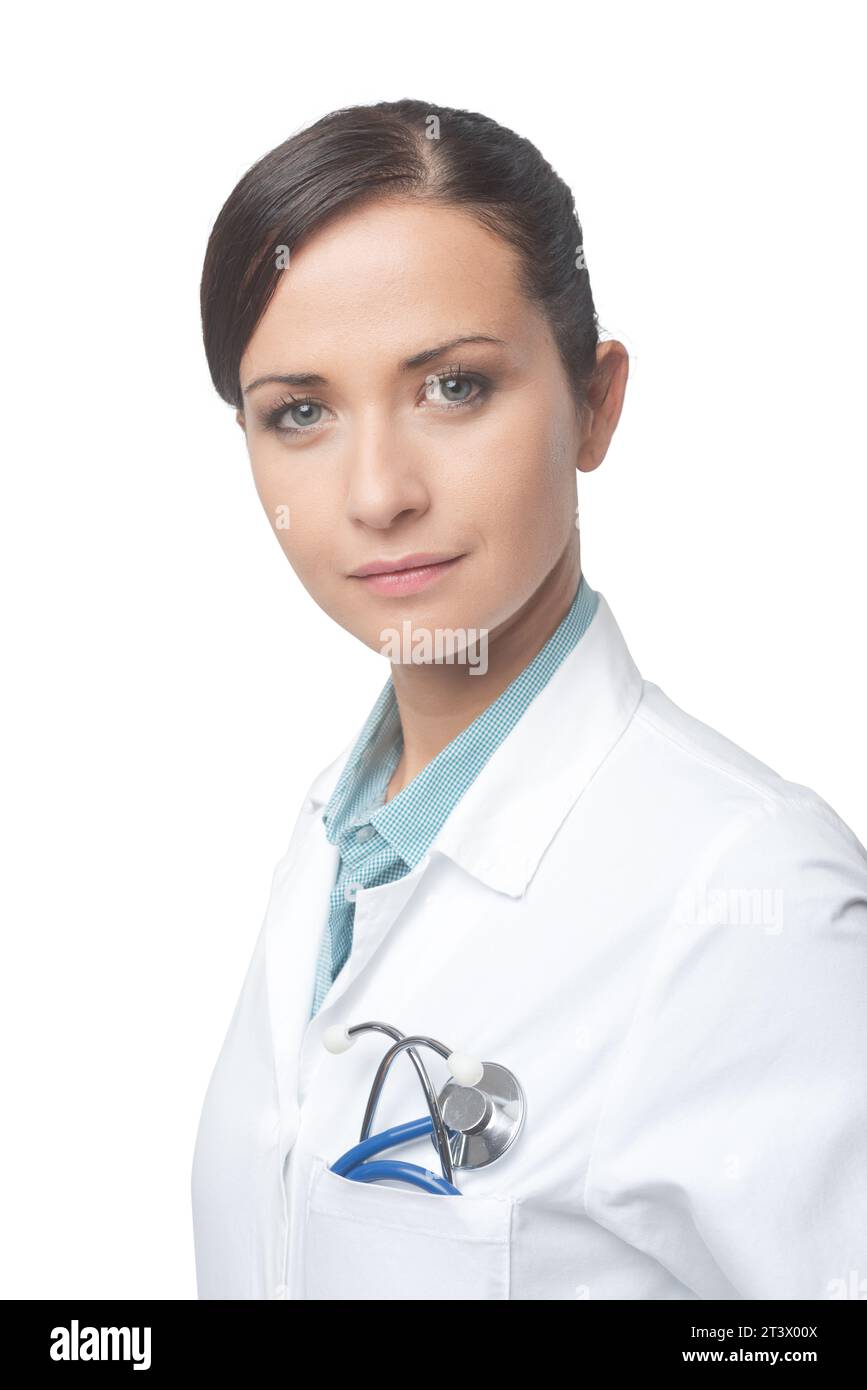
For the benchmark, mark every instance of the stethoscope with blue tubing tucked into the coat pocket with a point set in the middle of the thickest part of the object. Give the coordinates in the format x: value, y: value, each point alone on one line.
x: 474, y: 1120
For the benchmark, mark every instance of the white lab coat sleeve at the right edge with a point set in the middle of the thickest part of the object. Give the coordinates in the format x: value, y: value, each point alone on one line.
x: 733, y: 1140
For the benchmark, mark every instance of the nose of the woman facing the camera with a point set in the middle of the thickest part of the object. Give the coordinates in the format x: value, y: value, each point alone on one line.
x: 386, y: 475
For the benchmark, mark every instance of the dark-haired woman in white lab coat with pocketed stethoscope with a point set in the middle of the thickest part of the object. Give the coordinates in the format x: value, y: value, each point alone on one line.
x: 529, y: 851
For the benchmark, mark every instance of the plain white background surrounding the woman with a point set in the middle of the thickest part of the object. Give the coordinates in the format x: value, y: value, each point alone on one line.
x: 170, y: 687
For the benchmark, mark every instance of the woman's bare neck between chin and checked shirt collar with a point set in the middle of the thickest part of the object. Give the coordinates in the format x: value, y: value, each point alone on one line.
x: 440, y: 700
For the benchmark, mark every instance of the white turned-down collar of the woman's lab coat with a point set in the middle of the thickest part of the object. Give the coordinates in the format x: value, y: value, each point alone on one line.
x: 511, y: 814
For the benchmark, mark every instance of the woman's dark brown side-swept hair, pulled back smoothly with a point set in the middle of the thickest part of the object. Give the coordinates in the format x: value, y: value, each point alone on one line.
x: 408, y: 149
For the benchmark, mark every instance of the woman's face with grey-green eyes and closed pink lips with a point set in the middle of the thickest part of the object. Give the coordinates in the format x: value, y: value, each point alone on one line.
x: 468, y: 454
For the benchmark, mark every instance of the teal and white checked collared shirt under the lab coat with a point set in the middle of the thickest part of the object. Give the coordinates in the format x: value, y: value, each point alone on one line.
x: 381, y: 842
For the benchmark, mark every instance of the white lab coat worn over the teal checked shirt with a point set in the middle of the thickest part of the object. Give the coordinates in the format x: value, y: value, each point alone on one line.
x: 661, y: 938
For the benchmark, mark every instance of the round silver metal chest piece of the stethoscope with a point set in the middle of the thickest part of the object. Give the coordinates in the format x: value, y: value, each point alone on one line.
x: 484, y: 1120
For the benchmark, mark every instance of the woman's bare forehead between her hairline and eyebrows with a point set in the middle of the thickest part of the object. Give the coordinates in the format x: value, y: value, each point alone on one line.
x: 391, y: 279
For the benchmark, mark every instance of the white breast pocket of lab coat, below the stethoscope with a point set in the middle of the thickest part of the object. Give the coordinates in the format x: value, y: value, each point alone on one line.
x: 366, y: 1241
